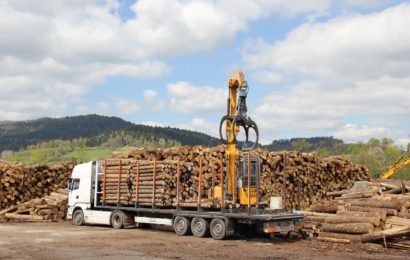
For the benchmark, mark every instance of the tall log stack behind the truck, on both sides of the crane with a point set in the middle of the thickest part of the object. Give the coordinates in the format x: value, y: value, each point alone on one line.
x: 302, y: 179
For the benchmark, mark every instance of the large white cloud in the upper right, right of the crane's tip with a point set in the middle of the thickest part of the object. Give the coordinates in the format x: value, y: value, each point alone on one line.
x: 356, y: 47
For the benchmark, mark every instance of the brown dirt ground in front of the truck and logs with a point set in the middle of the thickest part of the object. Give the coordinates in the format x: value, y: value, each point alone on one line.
x: 64, y: 241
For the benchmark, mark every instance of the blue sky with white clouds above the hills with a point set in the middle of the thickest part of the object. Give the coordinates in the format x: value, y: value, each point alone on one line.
x: 314, y: 67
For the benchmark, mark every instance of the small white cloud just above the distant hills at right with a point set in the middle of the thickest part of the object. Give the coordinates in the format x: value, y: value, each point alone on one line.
x: 354, y: 133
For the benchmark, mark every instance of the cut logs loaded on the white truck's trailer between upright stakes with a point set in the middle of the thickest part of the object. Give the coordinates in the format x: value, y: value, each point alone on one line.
x: 156, y: 179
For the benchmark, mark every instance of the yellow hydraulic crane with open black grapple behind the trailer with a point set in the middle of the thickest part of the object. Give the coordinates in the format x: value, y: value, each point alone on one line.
x: 236, y: 119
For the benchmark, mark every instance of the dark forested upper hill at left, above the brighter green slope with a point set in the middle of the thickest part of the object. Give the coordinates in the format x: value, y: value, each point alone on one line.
x: 97, y: 129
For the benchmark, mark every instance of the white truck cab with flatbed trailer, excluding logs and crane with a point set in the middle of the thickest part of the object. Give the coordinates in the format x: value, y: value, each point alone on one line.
x: 85, y: 207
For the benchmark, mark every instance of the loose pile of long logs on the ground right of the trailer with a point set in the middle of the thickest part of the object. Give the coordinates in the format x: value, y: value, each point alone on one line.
x: 367, y: 213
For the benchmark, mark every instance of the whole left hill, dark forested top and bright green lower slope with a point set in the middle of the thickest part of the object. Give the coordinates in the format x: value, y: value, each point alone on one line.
x: 83, y: 138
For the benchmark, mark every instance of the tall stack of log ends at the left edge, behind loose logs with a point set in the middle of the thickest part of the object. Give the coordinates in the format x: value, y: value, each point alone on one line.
x: 21, y: 183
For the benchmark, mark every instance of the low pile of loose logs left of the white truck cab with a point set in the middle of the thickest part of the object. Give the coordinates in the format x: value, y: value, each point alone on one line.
x: 52, y: 207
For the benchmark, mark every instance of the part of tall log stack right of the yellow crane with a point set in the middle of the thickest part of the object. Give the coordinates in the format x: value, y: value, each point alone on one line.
x: 303, y: 179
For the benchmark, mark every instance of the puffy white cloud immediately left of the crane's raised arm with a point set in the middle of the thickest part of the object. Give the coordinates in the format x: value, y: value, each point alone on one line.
x: 189, y: 99
